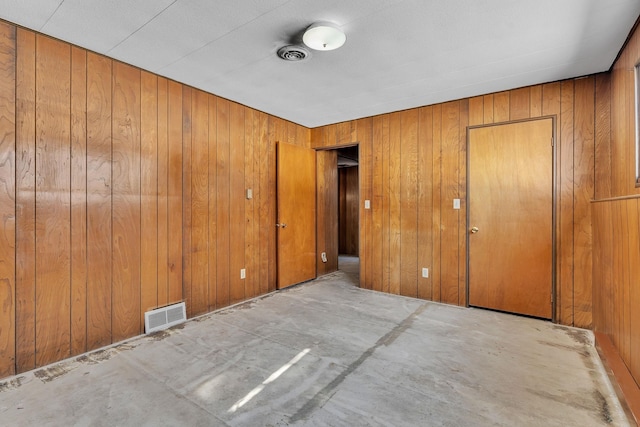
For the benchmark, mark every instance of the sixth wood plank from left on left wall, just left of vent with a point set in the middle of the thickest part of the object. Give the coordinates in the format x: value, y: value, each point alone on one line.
x: 125, y: 315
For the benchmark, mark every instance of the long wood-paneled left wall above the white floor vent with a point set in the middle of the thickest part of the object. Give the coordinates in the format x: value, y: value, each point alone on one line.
x: 122, y: 191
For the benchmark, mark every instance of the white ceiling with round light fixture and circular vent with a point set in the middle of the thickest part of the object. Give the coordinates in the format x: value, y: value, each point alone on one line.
x: 399, y: 54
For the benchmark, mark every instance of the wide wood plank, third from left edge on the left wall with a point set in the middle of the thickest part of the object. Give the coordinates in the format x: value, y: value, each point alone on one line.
x: 53, y: 208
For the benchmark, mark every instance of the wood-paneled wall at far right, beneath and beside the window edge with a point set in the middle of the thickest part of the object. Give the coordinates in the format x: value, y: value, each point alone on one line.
x: 616, y: 218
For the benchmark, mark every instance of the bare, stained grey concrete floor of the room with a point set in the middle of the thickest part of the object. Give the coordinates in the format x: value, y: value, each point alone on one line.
x: 327, y: 353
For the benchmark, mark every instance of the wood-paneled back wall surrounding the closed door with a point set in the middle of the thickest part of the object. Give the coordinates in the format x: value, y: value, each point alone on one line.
x: 413, y: 164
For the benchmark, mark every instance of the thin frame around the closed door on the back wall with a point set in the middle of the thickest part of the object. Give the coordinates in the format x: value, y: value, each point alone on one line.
x: 554, y: 196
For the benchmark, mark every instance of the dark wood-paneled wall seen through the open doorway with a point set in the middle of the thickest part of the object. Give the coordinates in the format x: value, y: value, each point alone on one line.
x: 348, y: 230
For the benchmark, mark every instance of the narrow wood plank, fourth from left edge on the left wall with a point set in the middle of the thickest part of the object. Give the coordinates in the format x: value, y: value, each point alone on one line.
x: 78, y: 201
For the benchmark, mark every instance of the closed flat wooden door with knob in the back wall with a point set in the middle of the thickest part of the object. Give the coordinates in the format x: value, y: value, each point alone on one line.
x: 510, y: 205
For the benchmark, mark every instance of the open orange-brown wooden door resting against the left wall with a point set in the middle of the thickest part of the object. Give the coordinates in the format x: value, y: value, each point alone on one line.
x: 296, y: 258
